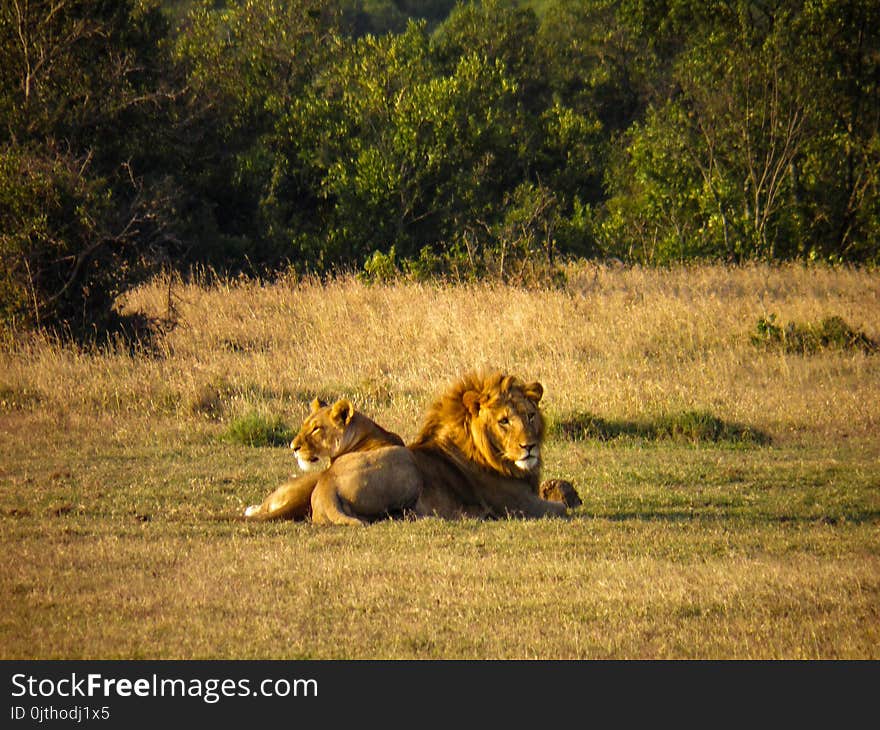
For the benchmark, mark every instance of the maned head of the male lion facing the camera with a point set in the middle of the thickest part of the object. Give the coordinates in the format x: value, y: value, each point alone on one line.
x: 504, y: 423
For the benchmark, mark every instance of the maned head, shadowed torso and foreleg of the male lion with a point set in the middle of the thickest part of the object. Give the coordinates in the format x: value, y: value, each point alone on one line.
x: 479, y: 451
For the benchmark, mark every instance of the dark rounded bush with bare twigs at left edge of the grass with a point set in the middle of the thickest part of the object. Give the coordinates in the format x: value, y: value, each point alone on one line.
x: 70, y: 244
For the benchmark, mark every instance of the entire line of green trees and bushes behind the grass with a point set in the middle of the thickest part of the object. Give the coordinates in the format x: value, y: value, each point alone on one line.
x: 493, y: 138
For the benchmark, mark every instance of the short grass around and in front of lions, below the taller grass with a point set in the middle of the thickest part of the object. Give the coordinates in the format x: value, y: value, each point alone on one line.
x: 675, y: 553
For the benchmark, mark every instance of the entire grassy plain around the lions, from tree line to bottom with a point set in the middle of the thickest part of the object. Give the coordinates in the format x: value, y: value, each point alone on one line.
x: 731, y: 491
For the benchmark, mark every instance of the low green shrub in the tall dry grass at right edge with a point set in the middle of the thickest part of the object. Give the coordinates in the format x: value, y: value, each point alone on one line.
x: 831, y: 333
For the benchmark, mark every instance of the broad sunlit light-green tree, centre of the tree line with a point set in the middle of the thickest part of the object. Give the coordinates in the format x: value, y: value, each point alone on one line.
x: 403, y: 154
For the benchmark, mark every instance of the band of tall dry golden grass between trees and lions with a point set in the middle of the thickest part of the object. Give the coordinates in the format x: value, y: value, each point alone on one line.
x: 619, y: 343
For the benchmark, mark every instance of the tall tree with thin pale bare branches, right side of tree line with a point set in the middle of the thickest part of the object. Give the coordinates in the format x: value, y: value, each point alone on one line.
x: 749, y: 102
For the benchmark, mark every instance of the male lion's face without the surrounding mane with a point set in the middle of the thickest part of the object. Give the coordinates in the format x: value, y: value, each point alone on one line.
x: 513, y: 427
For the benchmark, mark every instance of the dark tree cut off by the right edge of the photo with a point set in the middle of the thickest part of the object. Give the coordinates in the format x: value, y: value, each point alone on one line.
x: 836, y: 182
